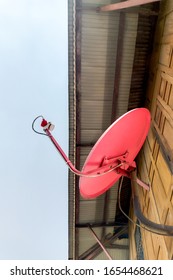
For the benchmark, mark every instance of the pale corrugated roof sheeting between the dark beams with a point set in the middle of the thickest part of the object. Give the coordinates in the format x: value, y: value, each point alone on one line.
x: 99, y: 33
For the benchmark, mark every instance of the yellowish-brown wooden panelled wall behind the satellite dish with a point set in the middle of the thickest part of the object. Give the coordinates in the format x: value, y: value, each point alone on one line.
x: 155, y: 162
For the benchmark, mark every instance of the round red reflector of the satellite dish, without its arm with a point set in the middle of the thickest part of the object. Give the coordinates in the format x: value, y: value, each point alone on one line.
x: 120, y: 142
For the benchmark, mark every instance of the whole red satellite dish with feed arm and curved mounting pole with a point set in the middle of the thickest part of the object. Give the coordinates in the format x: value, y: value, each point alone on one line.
x: 112, y: 157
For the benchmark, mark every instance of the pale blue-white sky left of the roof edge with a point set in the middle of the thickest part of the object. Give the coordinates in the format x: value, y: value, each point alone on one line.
x: 33, y: 177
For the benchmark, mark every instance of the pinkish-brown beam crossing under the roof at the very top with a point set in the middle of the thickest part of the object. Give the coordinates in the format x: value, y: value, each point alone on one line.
x: 124, y: 5
